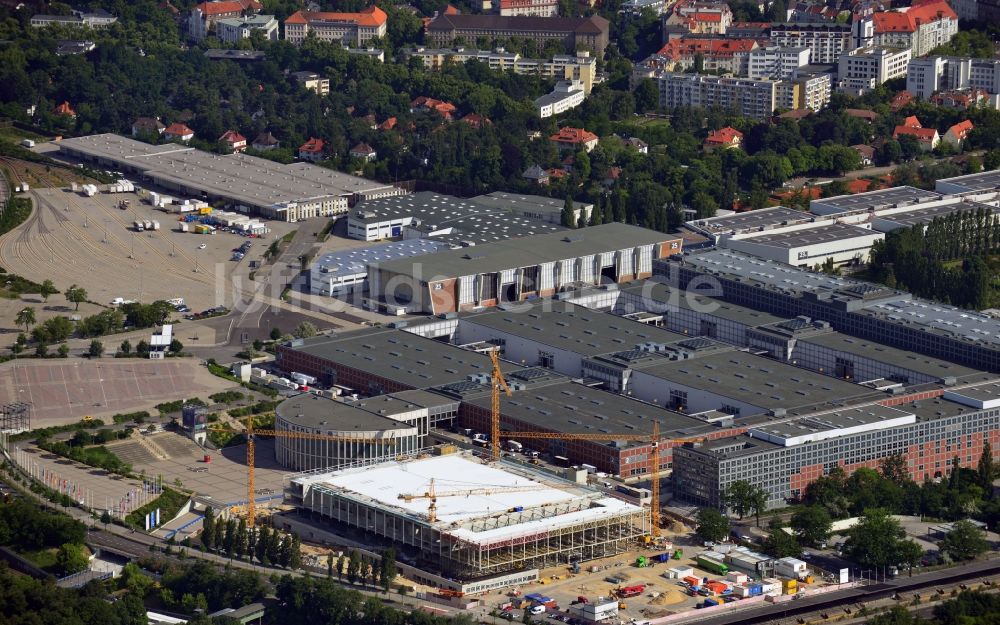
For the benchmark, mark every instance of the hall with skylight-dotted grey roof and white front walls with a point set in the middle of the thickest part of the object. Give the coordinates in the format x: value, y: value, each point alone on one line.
x: 460, y: 222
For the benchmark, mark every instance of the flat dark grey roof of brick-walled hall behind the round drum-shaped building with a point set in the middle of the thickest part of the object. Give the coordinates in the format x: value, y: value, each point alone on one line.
x: 400, y: 356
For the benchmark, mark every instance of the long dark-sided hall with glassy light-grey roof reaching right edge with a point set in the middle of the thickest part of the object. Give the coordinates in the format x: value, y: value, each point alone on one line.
x: 853, y: 307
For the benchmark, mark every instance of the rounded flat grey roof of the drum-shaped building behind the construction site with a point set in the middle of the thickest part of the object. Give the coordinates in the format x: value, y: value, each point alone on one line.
x: 316, y: 412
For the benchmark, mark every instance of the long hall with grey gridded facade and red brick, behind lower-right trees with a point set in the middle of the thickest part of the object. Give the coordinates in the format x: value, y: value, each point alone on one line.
x: 786, y: 455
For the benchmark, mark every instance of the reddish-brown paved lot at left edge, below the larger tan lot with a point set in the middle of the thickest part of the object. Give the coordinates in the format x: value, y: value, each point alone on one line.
x: 64, y: 391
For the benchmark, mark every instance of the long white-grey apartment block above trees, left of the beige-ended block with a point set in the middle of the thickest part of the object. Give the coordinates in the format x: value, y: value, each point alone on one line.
x: 751, y: 98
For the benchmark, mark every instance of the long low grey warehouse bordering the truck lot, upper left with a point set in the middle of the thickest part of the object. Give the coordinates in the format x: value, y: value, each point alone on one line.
x: 251, y: 185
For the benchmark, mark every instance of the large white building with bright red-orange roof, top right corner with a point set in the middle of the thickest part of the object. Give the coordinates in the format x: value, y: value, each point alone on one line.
x: 919, y: 28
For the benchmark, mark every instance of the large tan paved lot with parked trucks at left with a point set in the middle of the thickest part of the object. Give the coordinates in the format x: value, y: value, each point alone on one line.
x: 74, y: 239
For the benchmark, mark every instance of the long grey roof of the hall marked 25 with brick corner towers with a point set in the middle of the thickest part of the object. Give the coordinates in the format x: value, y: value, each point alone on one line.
x: 527, y: 251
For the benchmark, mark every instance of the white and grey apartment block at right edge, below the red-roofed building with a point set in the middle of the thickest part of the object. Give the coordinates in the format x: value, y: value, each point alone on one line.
x: 926, y: 76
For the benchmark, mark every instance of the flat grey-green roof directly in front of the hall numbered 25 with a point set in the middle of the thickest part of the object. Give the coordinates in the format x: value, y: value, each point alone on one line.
x: 572, y: 328
